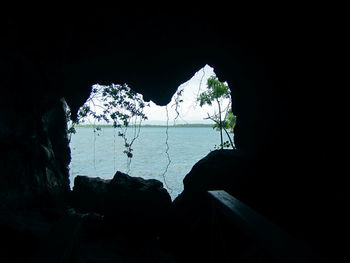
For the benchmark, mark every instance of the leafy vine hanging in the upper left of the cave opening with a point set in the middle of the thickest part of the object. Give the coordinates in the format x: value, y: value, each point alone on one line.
x: 117, y: 104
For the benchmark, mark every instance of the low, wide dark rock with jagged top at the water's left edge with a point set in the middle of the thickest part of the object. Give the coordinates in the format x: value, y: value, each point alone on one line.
x: 124, y: 198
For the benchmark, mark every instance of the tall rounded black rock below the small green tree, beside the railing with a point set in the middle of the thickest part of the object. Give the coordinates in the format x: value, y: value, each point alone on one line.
x: 191, y: 213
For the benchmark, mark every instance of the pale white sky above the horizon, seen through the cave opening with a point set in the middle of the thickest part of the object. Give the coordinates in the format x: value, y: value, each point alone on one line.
x: 189, y: 110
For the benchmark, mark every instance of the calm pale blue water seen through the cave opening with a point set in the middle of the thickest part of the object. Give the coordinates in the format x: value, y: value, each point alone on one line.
x: 100, y: 154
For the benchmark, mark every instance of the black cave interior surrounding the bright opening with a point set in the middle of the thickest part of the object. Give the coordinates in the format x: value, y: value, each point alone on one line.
x: 288, y: 167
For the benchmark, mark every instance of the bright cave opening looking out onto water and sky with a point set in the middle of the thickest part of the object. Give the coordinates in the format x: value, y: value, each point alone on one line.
x: 155, y: 142
